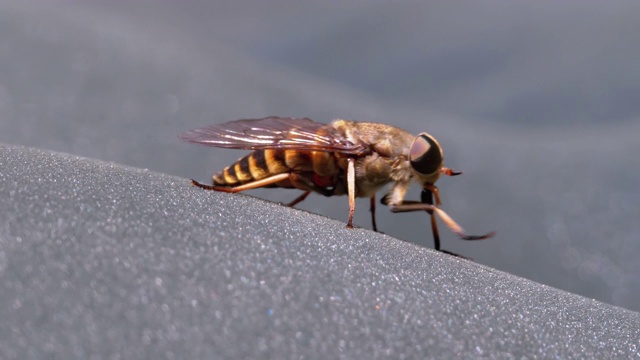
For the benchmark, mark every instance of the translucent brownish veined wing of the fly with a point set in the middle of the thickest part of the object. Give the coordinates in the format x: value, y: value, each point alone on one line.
x: 273, y: 133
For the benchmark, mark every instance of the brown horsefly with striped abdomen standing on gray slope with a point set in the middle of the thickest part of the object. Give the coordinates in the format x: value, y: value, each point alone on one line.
x: 343, y: 157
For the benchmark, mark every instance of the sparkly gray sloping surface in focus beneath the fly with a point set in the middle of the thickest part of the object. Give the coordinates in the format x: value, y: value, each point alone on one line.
x: 103, y: 261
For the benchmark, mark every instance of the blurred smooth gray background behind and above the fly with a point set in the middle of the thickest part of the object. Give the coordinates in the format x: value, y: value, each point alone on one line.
x: 537, y: 102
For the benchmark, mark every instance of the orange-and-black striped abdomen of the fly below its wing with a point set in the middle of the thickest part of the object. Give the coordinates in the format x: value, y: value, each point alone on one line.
x: 261, y: 164
